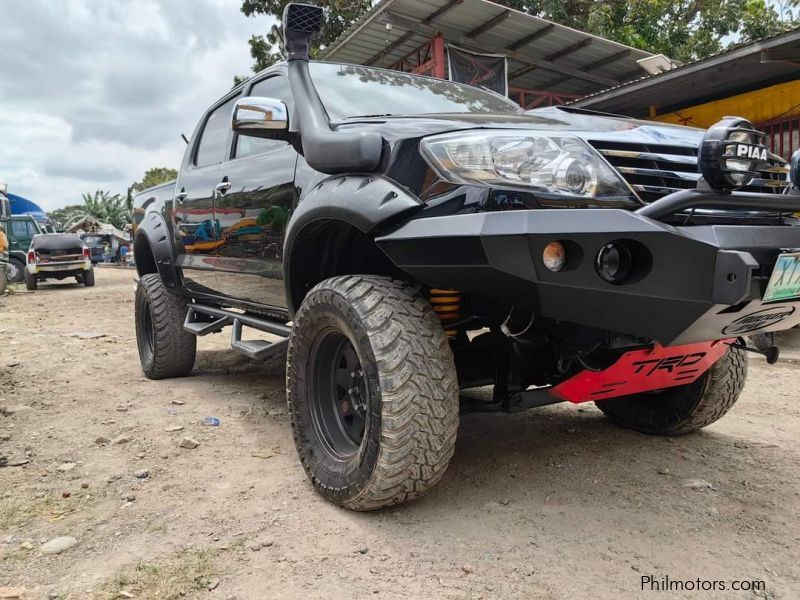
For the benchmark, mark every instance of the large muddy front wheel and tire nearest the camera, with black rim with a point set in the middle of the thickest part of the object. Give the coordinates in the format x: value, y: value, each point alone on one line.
x: 405, y: 385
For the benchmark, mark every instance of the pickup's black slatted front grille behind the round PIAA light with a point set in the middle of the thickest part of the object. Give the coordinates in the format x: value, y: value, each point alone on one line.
x: 655, y: 170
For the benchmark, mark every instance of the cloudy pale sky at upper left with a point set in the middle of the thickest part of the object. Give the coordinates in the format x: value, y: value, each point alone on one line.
x: 95, y: 92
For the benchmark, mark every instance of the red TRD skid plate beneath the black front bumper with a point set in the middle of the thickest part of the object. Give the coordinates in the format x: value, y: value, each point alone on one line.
x: 643, y: 371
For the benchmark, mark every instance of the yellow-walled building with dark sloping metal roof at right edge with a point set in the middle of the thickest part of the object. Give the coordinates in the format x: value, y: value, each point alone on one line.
x: 759, y: 81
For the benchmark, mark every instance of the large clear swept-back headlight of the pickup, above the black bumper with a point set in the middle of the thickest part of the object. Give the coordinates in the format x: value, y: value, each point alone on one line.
x: 552, y: 163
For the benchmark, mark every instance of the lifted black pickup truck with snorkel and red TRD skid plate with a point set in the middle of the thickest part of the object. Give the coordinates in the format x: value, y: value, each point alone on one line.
x: 408, y: 239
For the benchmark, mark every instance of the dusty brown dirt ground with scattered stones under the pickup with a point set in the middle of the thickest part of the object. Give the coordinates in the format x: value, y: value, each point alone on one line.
x: 552, y: 503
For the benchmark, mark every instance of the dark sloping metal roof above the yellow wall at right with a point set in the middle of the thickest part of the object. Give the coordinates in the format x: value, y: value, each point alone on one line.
x: 733, y: 71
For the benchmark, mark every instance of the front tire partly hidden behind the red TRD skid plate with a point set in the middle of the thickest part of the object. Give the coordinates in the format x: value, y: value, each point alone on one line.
x: 686, y: 408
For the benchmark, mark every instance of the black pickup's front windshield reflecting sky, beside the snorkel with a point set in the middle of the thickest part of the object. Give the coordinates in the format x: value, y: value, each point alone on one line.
x: 355, y: 91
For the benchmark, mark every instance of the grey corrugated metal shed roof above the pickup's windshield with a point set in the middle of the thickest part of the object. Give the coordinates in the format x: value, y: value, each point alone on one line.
x: 559, y: 59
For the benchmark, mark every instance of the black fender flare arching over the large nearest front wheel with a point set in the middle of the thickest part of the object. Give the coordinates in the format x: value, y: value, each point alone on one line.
x: 364, y: 201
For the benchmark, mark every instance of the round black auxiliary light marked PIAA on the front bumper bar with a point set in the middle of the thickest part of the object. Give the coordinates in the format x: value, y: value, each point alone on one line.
x: 731, y: 153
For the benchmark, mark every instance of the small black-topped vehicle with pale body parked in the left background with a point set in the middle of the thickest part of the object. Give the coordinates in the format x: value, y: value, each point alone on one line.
x: 58, y: 256
